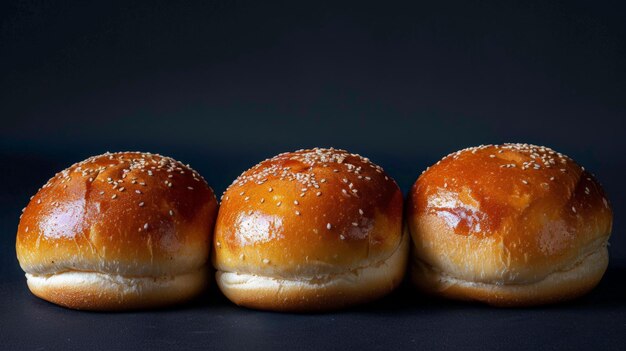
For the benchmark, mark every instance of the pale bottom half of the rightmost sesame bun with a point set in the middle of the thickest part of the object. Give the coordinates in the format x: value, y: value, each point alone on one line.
x: 557, y: 287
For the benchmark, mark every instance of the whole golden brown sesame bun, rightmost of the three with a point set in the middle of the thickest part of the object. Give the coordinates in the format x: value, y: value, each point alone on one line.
x: 510, y: 225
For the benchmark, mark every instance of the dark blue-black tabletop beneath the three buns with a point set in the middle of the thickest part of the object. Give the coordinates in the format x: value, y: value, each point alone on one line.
x: 400, y: 321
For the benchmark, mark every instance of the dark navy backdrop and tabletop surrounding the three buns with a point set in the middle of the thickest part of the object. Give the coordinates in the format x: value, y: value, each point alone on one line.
x: 224, y: 84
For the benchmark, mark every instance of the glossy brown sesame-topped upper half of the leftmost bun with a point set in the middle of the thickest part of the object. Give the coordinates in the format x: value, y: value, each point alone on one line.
x: 128, y: 213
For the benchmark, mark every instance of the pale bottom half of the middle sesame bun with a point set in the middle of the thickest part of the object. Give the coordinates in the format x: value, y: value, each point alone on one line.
x: 320, y: 293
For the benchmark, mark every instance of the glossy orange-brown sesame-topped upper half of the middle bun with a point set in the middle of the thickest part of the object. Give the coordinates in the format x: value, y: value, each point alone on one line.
x: 306, y: 213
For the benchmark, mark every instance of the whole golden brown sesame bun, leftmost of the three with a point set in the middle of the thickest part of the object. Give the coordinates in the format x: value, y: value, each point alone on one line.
x: 118, y: 231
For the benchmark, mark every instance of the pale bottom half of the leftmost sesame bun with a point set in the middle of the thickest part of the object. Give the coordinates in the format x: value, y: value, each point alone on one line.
x: 106, y: 292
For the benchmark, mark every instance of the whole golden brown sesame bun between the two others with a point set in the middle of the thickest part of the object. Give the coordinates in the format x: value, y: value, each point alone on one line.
x: 310, y: 230
